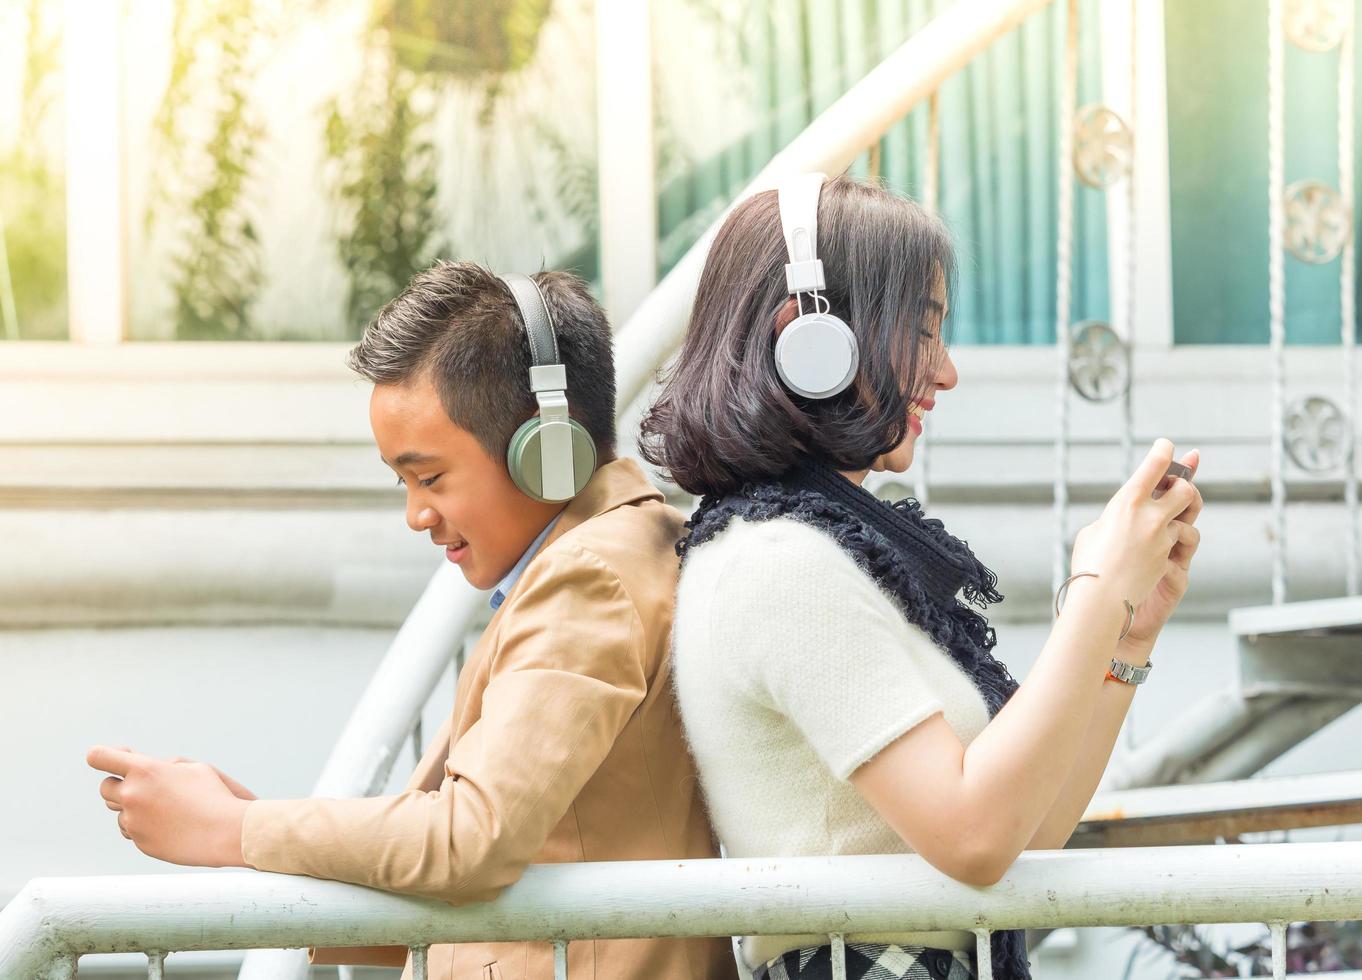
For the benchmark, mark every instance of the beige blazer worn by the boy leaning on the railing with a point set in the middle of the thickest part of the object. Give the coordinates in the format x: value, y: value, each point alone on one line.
x: 565, y: 747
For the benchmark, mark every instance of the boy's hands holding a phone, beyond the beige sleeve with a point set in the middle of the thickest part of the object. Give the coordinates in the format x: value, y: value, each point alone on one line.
x: 178, y: 811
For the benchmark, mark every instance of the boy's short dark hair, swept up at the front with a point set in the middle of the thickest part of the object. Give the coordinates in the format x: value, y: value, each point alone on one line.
x: 458, y: 322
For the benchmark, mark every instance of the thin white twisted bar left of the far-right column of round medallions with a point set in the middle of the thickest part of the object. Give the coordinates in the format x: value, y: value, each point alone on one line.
x: 1277, y: 291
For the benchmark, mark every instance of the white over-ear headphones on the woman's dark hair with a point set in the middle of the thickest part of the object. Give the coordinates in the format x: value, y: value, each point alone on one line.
x: 817, y: 356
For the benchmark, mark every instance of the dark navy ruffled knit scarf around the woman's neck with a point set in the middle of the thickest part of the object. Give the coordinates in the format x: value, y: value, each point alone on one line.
x: 913, y: 559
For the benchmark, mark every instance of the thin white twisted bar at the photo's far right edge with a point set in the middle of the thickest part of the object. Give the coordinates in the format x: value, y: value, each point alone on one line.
x: 1348, y: 304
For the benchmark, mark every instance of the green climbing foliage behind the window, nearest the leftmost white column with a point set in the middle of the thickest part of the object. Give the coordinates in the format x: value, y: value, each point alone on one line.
x: 204, y: 186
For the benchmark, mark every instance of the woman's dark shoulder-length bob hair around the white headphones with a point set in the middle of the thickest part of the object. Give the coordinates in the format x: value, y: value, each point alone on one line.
x: 724, y: 417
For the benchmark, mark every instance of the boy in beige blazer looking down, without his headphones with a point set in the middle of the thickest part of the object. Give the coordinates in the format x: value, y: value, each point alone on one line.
x: 565, y: 744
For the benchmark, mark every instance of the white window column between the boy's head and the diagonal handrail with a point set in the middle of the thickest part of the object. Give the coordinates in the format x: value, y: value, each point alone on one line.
x: 626, y: 167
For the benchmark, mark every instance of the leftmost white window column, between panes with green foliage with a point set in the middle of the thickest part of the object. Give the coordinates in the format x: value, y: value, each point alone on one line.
x: 97, y: 276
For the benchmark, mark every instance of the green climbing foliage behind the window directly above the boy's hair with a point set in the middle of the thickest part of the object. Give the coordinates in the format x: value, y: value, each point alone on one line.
x: 383, y: 172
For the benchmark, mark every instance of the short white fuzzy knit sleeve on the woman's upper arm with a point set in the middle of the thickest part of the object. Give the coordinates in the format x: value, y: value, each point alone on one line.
x: 818, y: 640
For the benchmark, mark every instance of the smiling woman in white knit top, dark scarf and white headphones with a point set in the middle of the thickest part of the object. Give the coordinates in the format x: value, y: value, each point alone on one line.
x: 838, y: 698
